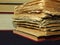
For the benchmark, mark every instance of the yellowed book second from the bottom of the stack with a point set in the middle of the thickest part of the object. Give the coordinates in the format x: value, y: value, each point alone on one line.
x: 38, y: 32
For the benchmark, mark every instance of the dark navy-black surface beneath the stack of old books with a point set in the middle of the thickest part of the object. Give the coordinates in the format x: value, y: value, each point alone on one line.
x: 8, y: 38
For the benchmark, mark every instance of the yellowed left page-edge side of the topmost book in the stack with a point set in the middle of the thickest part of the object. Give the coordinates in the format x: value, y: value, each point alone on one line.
x: 35, y: 6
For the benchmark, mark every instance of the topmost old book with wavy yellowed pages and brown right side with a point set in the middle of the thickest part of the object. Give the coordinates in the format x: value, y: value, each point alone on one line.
x: 46, y: 6
